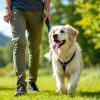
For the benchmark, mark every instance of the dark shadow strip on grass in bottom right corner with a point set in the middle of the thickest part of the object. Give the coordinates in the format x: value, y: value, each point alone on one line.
x: 90, y: 94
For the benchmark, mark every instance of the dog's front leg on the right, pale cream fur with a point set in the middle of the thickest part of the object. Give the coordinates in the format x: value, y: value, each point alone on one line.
x: 73, y: 83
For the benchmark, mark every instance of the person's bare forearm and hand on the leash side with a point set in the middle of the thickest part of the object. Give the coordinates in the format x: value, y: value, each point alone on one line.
x: 47, y: 9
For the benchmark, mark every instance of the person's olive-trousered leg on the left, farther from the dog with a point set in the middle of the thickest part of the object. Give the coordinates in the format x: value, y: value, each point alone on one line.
x: 18, y: 27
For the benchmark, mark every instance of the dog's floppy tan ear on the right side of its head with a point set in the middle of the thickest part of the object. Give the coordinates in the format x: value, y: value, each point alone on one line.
x: 72, y: 32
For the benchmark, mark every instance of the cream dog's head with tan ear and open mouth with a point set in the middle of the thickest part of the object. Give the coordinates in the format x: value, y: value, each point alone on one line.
x: 61, y: 35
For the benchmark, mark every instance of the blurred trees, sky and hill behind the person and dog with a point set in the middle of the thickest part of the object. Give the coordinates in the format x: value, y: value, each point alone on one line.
x: 82, y: 14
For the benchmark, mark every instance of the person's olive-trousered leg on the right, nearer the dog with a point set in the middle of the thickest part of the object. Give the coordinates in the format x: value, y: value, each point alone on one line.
x: 35, y: 25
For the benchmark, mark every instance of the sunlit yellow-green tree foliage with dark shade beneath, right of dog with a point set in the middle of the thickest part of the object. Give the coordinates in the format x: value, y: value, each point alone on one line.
x: 90, y: 24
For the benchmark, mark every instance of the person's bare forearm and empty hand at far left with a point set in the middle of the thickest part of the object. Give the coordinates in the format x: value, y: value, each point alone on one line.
x: 7, y: 16
